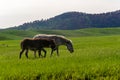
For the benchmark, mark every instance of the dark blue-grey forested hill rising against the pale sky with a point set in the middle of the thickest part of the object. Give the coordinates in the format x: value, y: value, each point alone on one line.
x: 75, y: 20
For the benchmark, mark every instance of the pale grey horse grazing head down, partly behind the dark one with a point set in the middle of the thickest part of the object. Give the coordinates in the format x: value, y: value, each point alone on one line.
x: 59, y: 40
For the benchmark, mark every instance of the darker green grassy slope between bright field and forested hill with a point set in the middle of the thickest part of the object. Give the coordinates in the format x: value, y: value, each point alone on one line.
x: 20, y: 34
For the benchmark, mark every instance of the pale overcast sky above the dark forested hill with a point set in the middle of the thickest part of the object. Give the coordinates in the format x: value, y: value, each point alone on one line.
x: 17, y: 12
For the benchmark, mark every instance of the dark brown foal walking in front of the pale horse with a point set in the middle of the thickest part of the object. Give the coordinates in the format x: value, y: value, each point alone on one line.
x: 36, y: 44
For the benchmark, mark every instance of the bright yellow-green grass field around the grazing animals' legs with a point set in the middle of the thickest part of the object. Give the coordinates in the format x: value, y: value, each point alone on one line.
x: 95, y: 58
